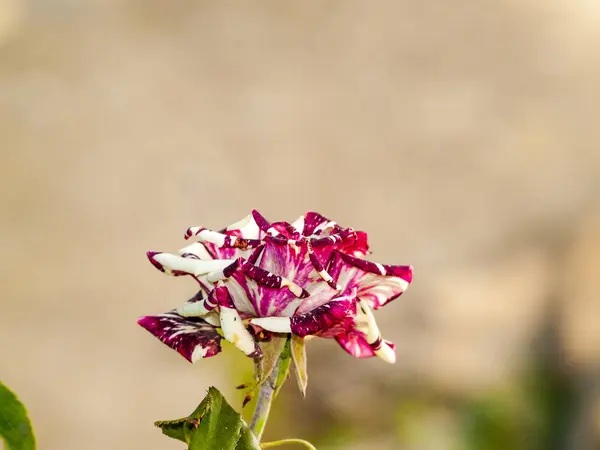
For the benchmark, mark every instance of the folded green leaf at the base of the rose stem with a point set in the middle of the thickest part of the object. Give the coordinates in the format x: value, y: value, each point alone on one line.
x: 214, y: 424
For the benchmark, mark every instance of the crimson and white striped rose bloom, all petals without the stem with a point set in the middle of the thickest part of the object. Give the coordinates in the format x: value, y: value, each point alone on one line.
x: 308, y: 278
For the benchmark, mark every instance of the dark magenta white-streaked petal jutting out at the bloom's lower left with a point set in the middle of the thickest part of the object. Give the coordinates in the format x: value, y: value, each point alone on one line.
x: 192, y: 337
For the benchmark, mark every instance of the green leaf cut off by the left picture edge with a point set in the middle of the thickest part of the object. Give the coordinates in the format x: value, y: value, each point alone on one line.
x: 15, y: 427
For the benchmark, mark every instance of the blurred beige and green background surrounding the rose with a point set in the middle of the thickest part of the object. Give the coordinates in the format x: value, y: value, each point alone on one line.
x: 463, y: 136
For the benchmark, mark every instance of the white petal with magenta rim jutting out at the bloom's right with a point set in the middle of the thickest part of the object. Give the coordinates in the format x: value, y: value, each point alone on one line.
x: 377, y: 283
